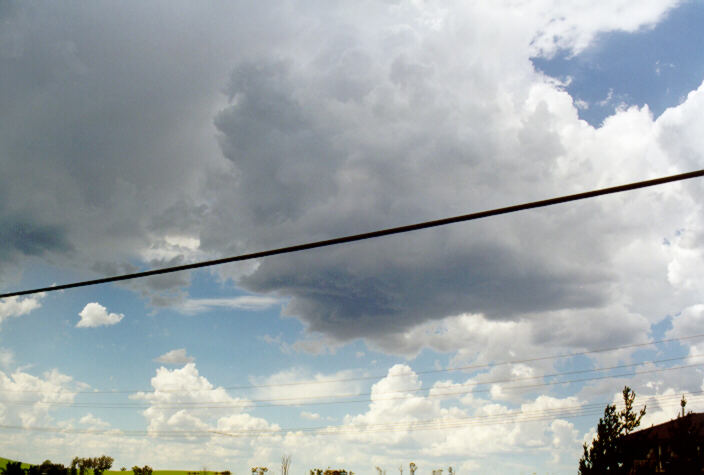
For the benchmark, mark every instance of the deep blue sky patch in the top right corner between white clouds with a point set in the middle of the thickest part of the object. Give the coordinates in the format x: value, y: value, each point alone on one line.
x: 656, y: 66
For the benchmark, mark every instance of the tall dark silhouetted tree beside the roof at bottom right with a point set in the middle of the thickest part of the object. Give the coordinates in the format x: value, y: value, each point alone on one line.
x: 605, y: 455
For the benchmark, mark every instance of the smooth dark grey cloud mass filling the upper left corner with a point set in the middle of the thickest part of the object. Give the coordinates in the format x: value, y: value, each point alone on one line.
x: 107, y: 123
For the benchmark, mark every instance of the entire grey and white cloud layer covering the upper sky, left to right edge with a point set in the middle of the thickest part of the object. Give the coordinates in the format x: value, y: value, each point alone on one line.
x: 221, y: 135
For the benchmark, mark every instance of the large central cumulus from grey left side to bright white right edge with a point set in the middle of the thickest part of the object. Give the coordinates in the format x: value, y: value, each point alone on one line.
x: 347, y: 156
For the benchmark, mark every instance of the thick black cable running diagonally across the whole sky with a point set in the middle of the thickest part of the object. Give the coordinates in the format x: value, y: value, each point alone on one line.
x: 372, y: 234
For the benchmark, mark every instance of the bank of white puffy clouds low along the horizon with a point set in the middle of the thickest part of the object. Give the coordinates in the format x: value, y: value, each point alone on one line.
x: 403, y: 420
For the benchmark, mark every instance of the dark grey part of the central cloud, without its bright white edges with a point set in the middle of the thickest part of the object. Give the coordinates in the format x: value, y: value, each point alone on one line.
x: 303, y: 172
